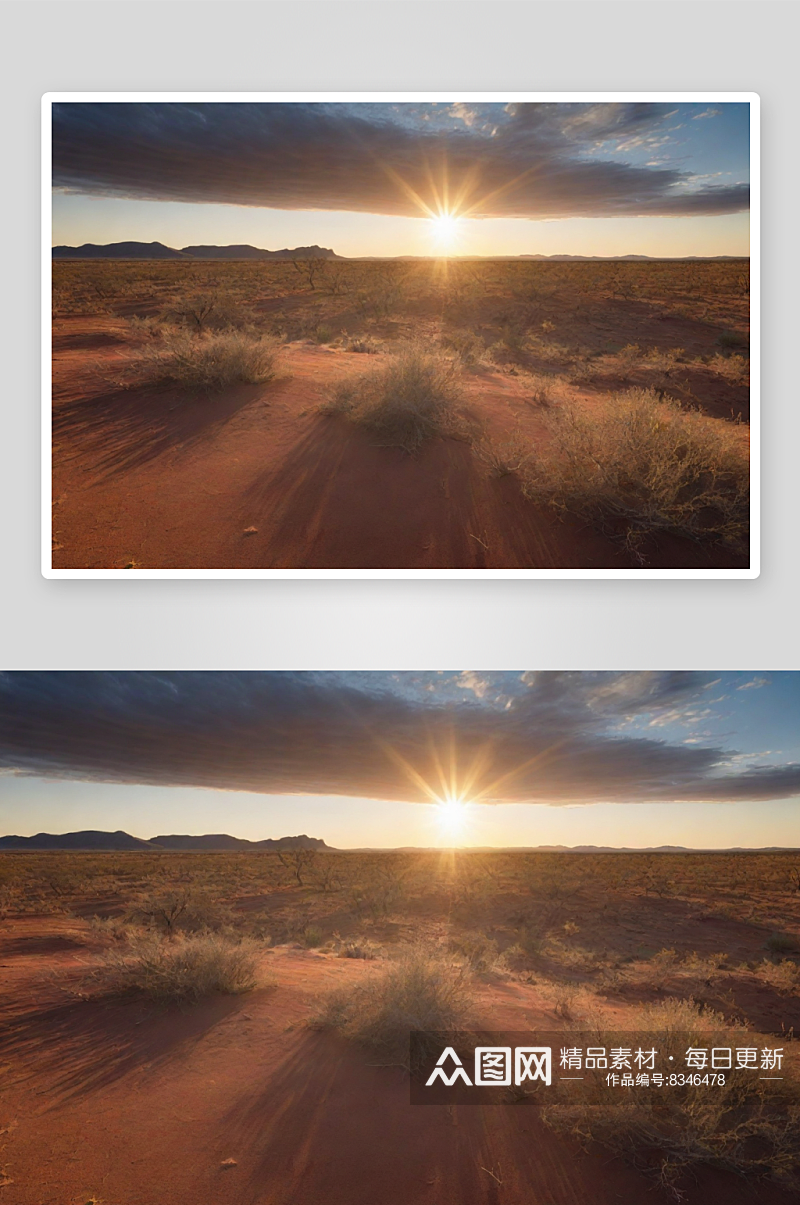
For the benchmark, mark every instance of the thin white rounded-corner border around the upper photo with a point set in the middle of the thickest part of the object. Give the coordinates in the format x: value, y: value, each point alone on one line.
x: 513, y: 97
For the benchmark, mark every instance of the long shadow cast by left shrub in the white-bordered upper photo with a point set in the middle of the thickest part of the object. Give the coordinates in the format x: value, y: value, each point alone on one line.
x: 126, y: 430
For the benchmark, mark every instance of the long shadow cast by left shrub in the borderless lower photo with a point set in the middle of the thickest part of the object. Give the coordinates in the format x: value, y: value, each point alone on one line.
x: 86, y: 1045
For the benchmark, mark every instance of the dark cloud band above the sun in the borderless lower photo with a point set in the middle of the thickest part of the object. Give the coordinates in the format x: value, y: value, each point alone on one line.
x: 546, y: 738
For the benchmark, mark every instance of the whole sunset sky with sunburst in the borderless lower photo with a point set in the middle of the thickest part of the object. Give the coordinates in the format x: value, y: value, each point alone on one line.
x: 701, y: 760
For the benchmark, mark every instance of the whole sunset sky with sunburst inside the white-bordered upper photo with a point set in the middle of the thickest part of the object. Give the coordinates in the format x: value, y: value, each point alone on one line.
x: 407, y: 179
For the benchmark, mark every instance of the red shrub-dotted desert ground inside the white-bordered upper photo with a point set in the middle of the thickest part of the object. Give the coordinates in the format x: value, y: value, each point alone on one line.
x: 332, y: 414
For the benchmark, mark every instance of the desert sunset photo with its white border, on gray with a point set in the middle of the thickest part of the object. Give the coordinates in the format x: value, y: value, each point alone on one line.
x: 401, y: 336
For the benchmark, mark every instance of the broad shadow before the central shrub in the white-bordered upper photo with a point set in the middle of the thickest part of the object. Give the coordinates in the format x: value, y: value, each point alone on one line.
x: 342, y: 501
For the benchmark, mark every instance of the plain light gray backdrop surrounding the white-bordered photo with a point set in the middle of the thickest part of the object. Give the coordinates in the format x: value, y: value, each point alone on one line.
x: 402, y: 46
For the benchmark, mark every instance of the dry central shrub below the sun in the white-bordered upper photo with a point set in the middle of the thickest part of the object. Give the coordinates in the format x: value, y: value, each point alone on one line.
x: 415, y: 397
